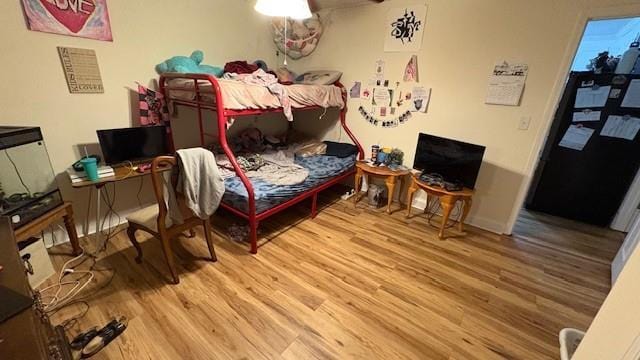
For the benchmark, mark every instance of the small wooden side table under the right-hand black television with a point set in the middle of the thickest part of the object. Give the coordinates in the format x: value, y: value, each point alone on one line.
x: 448, y: 200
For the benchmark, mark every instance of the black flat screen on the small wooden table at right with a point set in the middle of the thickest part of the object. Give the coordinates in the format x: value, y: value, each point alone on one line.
x: 455, y: 161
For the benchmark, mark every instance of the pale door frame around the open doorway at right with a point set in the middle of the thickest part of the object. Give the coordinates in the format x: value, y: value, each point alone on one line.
x: 594, y: 13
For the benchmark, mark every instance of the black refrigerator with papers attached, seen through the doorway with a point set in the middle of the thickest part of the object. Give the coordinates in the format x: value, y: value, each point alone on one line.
x: 587, y: 184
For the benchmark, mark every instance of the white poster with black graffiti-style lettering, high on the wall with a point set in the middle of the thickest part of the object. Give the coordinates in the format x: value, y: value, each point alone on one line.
x: 404, y: 28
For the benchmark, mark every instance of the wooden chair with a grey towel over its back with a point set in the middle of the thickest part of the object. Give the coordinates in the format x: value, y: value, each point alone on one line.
x: 153, y: 219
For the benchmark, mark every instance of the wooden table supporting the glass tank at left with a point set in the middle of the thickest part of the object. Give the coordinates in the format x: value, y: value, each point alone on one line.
x: 36, y: 226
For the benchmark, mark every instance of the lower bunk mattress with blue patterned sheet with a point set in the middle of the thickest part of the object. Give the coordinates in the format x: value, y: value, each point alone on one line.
x: 321, y: 169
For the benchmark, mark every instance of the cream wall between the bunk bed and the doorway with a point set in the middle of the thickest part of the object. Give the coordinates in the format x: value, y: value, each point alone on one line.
x: 463, y: 40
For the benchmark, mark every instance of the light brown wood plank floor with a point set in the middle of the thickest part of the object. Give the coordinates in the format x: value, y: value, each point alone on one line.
x: 355, y: 284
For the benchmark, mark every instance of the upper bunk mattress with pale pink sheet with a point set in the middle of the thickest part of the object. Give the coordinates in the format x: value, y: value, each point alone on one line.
x: 237, y: 95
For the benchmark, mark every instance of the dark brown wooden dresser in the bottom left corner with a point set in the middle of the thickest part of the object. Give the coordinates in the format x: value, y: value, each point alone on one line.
x: 29, y: 334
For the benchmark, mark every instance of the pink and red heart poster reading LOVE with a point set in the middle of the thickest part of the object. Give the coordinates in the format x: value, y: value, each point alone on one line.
x: 82, y: 18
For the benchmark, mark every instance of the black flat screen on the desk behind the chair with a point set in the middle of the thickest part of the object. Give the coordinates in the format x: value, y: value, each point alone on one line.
x: 133, y: 144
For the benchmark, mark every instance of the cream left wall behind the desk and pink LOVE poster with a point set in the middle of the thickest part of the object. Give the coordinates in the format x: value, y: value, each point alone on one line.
x: 33, y: 90
